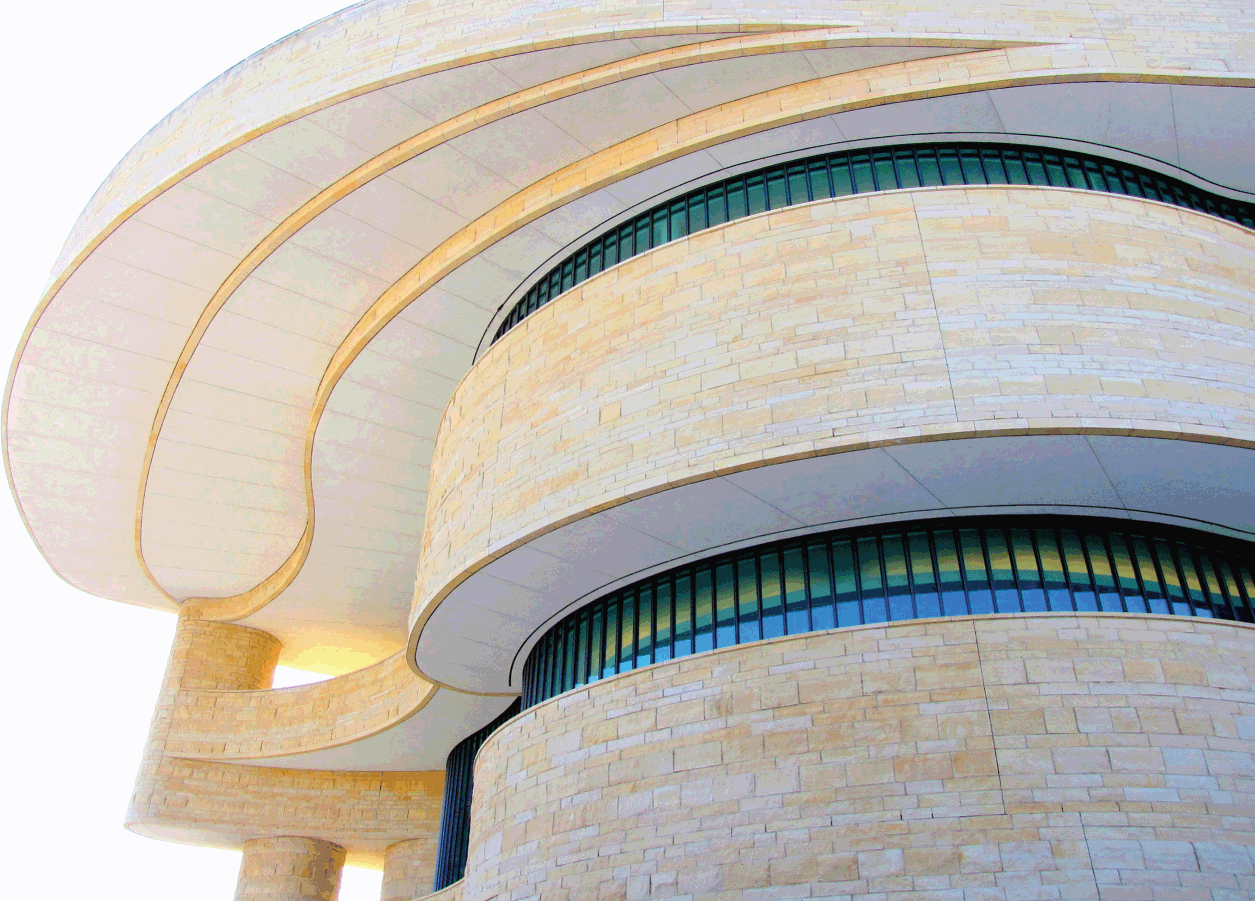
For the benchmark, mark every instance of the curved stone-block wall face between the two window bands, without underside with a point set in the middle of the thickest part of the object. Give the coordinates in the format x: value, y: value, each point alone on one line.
x: 904, y: 317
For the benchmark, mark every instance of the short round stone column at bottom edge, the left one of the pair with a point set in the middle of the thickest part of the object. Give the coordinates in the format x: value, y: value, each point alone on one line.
x: 289, y: 869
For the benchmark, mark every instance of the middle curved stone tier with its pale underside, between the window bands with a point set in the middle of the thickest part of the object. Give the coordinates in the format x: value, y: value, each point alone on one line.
x: 835, y: 362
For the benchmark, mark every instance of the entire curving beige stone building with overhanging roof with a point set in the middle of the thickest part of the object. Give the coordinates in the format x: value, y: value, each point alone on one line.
x: 869, y: 515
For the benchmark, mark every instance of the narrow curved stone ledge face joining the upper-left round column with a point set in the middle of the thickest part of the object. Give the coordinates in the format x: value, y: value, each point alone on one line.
x: 242, y: 726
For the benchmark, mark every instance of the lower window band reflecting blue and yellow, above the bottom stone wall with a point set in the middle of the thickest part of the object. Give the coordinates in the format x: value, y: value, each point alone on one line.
x: 894, y: 574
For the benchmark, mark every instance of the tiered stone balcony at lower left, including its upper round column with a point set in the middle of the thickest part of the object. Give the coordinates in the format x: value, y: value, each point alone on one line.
x: 339, y: 761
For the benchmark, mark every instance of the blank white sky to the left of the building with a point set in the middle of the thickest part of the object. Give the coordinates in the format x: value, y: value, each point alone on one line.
x: 83, y: 83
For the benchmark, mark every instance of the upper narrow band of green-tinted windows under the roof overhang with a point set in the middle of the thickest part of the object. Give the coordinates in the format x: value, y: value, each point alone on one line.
x: 839, y: 175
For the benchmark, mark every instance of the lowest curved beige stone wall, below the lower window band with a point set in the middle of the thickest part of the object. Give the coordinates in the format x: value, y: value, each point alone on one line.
x: 1022, y: 757
